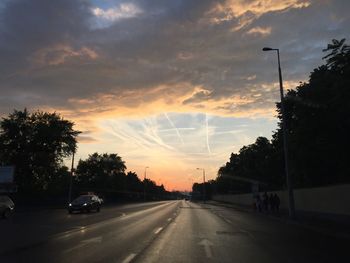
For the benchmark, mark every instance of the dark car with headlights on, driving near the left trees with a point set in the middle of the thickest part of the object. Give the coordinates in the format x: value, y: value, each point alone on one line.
x: 85, y: 203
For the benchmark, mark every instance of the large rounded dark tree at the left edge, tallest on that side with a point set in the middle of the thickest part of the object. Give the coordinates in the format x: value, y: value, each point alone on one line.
x: 36, y: 143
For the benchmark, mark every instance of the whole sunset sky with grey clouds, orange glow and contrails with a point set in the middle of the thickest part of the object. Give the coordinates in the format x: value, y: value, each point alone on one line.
x: 174, y: 85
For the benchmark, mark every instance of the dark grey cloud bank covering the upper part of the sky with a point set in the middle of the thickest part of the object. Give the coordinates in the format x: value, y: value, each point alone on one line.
x: 52, y: 55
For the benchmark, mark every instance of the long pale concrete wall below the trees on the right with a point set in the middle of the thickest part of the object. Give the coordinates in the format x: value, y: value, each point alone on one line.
x: 330, y: 199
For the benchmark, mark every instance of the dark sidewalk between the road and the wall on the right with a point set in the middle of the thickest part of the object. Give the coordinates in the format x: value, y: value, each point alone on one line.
x: 328, y: 224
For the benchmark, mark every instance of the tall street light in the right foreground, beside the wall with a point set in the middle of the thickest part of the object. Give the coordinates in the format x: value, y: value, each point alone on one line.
x: 285, y: 141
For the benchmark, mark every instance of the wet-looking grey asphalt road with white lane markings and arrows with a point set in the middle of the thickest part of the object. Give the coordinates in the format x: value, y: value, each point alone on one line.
x: 168, y: 231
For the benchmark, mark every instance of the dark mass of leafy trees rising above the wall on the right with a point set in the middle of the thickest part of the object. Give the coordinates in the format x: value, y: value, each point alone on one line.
x: 318, y: 123
